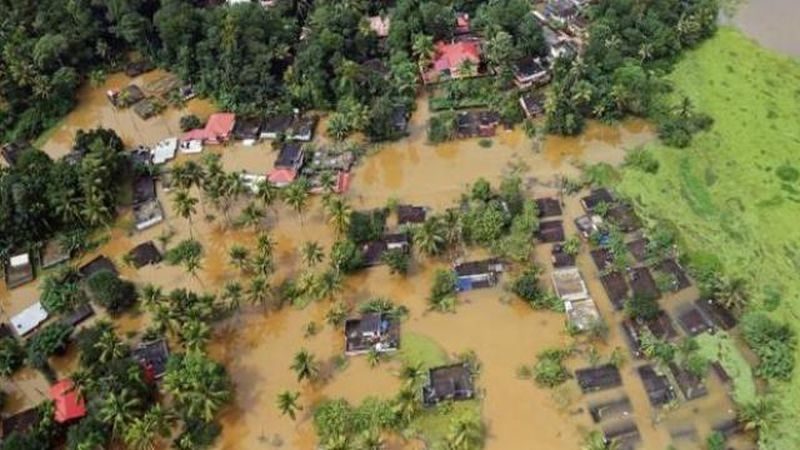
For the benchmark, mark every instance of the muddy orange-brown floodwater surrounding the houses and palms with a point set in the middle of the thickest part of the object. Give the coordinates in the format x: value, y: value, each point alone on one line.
x: 257, y: 346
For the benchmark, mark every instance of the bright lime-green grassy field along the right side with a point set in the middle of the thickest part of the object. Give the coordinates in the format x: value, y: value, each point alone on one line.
x: 734, y: 195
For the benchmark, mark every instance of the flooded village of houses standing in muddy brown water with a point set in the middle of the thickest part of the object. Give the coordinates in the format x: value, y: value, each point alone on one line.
x: 591, y: 257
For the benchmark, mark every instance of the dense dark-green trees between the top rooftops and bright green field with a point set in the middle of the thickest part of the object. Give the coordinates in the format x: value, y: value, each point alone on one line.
x: 631, y: 46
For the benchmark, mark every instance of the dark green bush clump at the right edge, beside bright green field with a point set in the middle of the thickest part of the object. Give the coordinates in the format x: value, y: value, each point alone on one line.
x: 773, y: 342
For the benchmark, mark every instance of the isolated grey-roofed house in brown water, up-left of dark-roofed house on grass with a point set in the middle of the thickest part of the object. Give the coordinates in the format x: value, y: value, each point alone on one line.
x: 378, y: 332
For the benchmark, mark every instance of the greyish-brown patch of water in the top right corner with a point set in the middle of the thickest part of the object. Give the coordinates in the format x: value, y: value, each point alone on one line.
x: 773, y: 23
